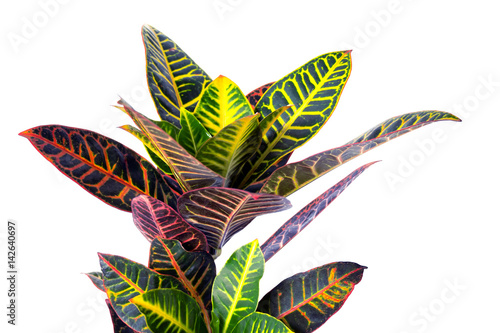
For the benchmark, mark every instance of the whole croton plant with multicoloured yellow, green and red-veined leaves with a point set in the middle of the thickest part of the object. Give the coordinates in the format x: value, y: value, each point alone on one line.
x: 221, y: 160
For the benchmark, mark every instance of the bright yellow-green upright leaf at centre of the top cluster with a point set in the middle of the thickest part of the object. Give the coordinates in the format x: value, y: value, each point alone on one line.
x: 221, y: 103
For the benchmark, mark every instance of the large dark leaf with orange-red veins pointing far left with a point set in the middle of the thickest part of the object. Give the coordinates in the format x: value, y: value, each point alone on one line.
x: 104, y: 167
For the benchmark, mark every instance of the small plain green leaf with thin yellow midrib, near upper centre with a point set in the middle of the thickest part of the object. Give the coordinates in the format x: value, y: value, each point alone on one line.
x: 192, y: 135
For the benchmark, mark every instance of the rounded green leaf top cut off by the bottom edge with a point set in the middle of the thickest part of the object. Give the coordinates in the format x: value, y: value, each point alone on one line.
x: 260, y: 323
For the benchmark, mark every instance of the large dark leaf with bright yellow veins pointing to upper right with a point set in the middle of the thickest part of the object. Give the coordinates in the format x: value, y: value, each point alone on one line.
x: 312, y: 91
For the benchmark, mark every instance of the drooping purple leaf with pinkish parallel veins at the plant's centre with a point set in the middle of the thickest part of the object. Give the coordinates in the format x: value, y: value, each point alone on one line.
x: 222, y: 212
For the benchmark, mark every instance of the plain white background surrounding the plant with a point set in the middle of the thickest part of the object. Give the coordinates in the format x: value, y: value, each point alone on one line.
x: 424, y: 220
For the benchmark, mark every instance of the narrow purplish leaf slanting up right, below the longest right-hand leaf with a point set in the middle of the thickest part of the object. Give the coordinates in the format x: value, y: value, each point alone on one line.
x: 299, y: 221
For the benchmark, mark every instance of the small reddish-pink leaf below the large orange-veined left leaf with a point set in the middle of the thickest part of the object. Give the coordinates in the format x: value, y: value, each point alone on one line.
x: 154, y: 219
